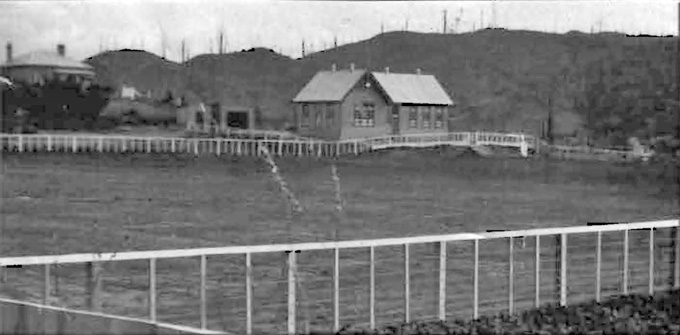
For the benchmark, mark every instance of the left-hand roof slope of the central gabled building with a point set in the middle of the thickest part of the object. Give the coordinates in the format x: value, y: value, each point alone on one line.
x: 329, y: 86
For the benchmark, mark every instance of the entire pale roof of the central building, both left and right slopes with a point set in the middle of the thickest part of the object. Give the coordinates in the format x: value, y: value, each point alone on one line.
x: 400, y: 88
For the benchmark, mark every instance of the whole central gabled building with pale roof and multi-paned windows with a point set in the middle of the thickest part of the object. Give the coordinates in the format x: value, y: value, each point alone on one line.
x: 354, y: 103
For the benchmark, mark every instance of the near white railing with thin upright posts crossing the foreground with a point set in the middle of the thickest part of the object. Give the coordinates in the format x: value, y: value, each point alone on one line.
x: 431, y: 276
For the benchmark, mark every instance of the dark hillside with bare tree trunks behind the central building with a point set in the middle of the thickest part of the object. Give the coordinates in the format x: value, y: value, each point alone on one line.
x: 501, y: 80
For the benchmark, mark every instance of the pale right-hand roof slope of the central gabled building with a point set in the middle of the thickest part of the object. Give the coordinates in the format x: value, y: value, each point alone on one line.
x: 419, y: 89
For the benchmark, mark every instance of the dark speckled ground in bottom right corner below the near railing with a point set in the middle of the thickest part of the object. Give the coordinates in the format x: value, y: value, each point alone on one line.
x: 631, y: 314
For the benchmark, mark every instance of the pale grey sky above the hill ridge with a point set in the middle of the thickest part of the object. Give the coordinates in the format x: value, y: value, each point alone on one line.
x: 87, y: 27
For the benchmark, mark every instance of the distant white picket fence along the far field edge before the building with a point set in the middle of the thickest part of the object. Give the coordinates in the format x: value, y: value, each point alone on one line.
x: 234, y: 146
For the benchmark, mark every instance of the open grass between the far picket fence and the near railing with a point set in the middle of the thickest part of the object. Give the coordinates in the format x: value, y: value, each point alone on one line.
x: 138, y: 202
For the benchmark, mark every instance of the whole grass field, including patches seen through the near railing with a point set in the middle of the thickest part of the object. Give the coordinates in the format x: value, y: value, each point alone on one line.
x: 65, y: 203
